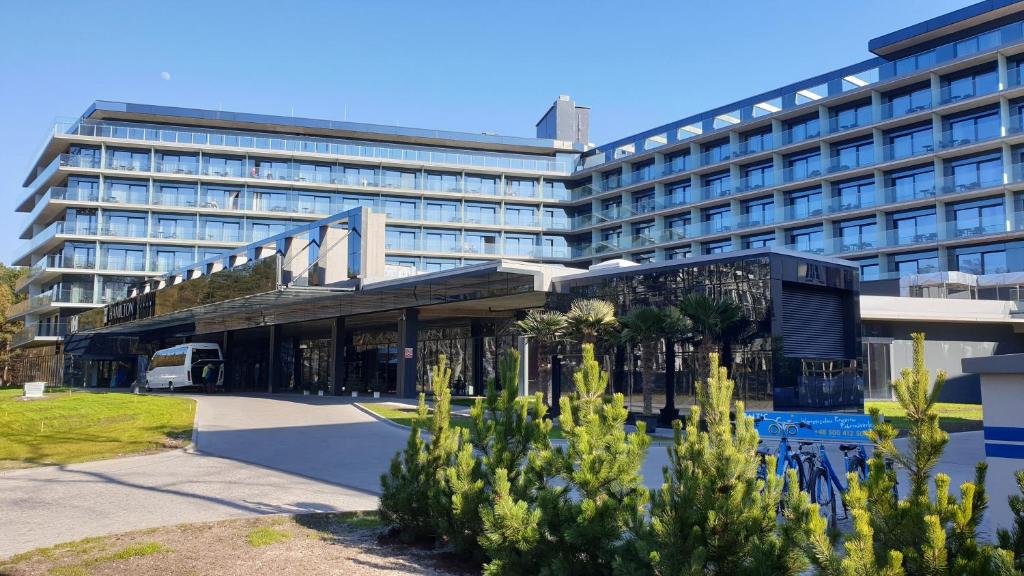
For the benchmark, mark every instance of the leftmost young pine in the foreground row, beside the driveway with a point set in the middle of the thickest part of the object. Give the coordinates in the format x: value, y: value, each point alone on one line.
x: 412, y: 498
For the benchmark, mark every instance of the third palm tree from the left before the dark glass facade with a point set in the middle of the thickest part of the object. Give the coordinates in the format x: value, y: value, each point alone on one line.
x: 648, y: 327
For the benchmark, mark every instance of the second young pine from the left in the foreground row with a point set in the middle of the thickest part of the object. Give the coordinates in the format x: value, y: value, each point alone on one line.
x: 493, y: 456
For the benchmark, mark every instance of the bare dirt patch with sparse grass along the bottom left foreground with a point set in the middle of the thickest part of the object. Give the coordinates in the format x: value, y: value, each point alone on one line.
x: 307, y: 545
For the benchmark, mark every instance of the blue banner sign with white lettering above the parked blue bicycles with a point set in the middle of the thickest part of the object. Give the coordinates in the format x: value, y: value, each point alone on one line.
x: 818, y: 427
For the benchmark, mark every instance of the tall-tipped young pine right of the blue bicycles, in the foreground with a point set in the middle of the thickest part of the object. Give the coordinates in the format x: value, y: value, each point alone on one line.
x: 922, y: 534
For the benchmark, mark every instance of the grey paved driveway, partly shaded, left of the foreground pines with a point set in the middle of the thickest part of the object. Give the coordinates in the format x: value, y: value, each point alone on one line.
x: 257, y: 456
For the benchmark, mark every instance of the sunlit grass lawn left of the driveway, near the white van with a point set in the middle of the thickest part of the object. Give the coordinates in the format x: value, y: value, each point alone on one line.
x: 76, y: 427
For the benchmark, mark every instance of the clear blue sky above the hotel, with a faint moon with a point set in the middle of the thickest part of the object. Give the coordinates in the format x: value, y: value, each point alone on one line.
x: 474, y: 66
